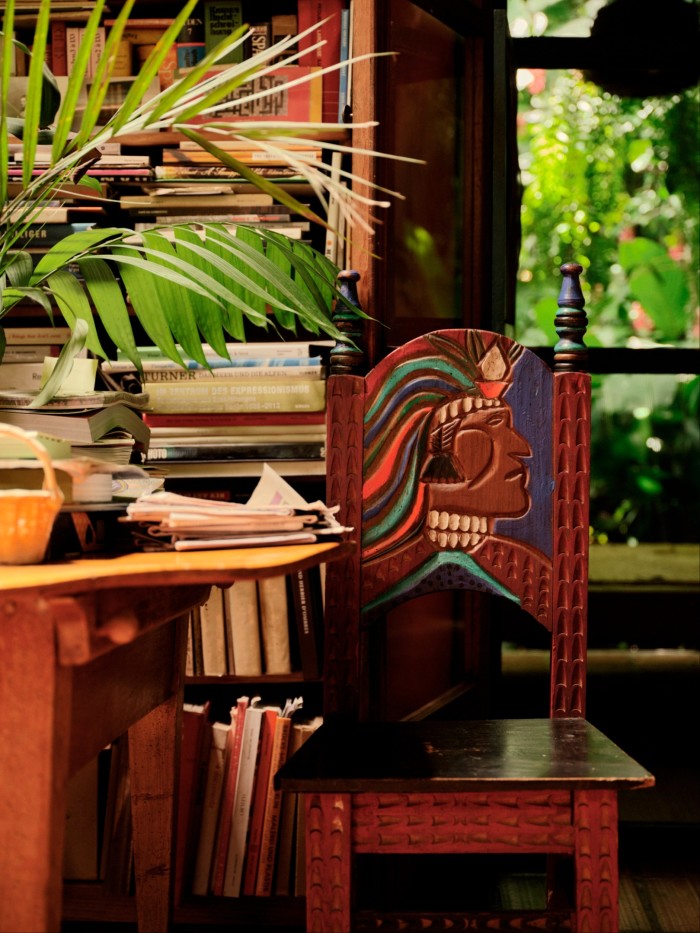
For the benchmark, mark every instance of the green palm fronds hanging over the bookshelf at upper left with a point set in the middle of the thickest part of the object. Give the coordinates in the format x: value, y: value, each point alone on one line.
x: 185, y: 287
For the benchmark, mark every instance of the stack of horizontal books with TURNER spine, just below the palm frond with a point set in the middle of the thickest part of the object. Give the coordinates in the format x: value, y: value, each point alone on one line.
x: 265, y: 403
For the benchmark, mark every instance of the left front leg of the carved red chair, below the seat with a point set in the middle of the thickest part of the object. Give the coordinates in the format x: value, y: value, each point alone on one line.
x: 328, y: 862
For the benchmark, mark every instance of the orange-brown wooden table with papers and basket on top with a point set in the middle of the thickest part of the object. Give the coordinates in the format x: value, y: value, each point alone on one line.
x: 89, y: 650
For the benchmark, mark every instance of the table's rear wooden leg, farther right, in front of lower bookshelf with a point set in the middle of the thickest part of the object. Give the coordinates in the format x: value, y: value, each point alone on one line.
x: 154, y: 747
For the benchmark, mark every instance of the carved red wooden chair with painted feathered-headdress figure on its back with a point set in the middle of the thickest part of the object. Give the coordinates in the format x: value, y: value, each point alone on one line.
x: 461, y: 461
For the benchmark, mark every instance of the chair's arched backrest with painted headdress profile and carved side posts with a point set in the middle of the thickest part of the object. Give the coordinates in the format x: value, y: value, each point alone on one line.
x: 461, y: 461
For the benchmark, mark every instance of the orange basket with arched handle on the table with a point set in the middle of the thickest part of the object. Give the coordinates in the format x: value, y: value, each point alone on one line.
x: 27, y: 515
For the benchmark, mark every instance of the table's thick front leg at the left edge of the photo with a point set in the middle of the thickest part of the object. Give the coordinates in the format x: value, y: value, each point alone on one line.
x: 35, y: 697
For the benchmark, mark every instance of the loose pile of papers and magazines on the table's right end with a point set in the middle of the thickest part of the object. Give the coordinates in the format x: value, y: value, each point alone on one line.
x: 275, y: 514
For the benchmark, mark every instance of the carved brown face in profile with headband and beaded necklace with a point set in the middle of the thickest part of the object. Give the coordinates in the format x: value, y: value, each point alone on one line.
x: 486, y: 477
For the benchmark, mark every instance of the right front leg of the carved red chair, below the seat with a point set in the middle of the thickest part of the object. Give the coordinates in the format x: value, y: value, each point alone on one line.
x: 595, y: 828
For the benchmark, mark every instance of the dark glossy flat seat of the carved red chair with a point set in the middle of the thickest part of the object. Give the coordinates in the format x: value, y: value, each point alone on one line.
x: 442, y: 757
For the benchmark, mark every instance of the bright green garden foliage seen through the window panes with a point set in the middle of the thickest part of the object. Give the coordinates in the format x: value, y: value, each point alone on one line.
x: 614, y: 183
